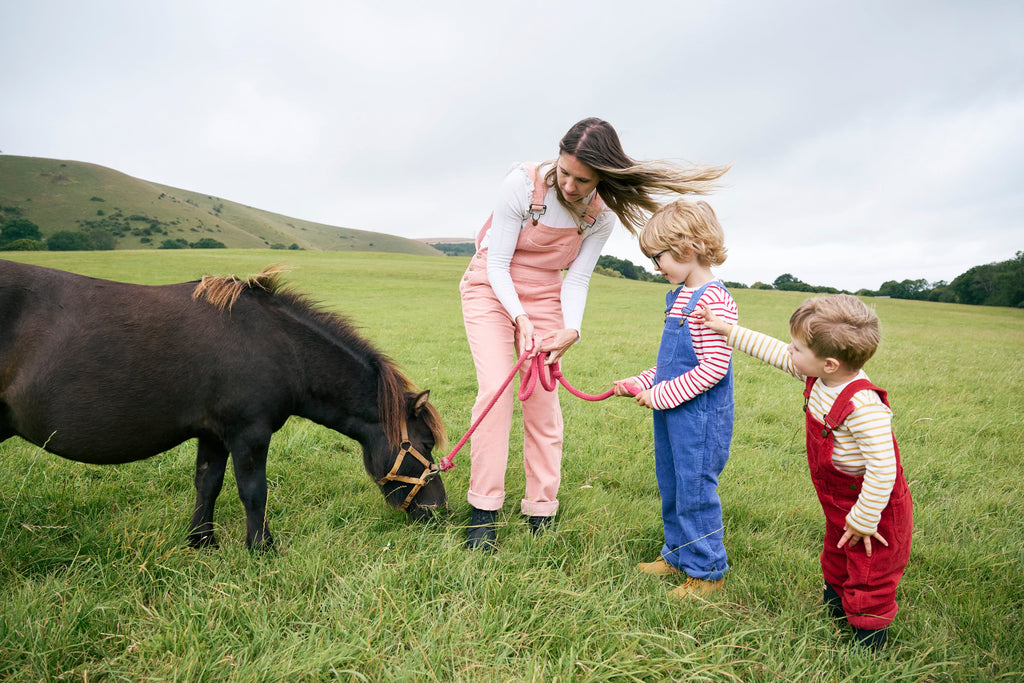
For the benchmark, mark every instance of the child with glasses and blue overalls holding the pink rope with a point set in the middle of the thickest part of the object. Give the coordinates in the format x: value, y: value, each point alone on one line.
x: 691, y: 392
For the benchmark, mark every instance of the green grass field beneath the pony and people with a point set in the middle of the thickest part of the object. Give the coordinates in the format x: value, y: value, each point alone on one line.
x: 97, y: 585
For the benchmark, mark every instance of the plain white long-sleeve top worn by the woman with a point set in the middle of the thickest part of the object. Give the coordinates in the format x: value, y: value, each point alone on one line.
x: 510, y: 215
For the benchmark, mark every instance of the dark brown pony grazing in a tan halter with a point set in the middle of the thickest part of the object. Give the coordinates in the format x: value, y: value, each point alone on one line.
x: 104, y: 372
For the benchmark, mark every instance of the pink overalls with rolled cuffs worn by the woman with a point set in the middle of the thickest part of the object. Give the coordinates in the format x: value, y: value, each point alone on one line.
x: 541, y: 254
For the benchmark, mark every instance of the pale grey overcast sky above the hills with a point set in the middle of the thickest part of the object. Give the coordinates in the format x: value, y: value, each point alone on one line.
x: 871, y: 140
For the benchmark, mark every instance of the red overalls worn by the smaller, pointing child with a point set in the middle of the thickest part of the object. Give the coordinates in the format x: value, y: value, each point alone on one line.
x: 867, y: 585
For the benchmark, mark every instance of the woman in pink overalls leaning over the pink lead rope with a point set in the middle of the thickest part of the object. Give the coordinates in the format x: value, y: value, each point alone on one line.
x: 550, y: 219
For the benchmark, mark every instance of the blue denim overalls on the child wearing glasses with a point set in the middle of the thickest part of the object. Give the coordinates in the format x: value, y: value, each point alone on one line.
x: 692, y: 447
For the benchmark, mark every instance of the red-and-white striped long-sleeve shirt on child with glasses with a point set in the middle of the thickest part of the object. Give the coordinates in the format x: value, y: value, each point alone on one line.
x: 714, y: 355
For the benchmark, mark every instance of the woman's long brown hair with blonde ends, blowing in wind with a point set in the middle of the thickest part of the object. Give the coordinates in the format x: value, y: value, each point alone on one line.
x: 628, y: 187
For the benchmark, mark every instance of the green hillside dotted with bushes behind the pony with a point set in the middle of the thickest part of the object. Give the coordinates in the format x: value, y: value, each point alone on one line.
x: 73, y: 196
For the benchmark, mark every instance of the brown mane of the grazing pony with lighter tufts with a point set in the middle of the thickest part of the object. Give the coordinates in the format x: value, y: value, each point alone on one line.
x: 224, y: 291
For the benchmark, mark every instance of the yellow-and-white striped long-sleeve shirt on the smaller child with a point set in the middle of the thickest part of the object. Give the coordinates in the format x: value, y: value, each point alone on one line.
x: 864, y: 444
